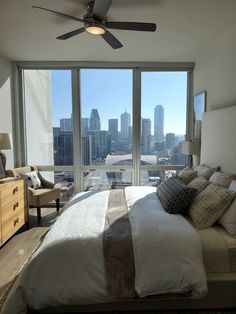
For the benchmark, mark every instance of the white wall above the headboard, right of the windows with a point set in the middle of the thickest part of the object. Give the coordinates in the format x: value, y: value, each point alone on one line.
x: 215, y: 72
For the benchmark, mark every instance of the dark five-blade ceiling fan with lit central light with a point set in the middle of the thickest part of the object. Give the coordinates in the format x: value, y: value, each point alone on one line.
x: 95, y: 23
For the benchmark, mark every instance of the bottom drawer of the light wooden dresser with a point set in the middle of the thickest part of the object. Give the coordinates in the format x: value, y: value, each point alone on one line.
x: 12, y: 225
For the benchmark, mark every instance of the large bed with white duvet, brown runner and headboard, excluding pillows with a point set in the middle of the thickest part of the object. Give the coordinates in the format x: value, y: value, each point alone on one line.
x: 161, y: 262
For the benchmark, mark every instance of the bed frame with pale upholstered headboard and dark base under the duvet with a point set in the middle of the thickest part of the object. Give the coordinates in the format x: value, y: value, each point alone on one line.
x: 218, y: 147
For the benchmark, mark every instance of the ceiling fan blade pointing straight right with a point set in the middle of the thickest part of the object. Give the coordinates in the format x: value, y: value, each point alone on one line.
x: 132, y: 26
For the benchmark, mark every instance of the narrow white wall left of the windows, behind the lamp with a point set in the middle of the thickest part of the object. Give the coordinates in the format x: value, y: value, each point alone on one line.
x: 6, y: 104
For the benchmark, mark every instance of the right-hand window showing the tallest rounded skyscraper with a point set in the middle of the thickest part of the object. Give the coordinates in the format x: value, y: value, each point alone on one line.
x: 163, y: 123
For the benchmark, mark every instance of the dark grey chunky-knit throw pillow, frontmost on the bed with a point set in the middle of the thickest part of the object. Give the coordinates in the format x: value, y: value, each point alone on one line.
x: 175, y: 195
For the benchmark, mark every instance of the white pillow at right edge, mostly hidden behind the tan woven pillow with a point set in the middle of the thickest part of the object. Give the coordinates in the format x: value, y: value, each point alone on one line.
x: 228, y: 220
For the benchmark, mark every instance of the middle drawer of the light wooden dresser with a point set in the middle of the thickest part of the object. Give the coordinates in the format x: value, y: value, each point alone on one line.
x: 13, y: 208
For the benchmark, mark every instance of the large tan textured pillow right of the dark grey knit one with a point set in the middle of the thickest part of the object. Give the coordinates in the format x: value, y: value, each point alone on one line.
x: 210, y: 205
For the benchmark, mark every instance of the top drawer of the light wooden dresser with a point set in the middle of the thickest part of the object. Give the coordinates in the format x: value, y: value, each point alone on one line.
x: 10, y: 192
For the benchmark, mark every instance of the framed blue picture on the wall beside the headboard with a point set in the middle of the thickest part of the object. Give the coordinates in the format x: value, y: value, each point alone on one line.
x: 199, y: 106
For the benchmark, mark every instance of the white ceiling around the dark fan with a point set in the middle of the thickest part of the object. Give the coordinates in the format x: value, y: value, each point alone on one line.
x: 185, y: 28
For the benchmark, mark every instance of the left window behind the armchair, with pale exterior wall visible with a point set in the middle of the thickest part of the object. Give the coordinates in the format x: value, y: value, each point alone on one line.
x: 48, y: 125
